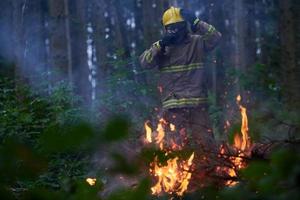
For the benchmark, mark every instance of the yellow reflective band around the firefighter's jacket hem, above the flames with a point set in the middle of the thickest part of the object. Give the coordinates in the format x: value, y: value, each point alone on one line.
x: 173, y: 103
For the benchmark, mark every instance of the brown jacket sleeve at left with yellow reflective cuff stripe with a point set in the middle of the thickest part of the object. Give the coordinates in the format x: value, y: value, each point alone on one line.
x: 150, y: 57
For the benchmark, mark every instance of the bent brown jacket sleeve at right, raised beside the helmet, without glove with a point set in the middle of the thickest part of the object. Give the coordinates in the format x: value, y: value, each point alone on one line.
x: 210, y: 35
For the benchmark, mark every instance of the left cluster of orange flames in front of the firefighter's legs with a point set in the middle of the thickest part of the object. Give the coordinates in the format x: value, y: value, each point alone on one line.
x: 174, y: 176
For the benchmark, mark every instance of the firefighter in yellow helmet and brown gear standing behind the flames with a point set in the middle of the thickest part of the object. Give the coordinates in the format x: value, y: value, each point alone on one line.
x: 183, y: 85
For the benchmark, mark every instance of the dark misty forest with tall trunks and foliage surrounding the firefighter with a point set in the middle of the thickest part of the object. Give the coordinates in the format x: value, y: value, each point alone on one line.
x: 71, y: 88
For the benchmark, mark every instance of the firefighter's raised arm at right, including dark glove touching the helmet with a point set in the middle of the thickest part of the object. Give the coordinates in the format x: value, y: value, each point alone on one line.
x: 210, y: 35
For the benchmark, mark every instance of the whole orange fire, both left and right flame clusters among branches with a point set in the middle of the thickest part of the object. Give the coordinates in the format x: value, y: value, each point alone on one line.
x: 173, y: 177
